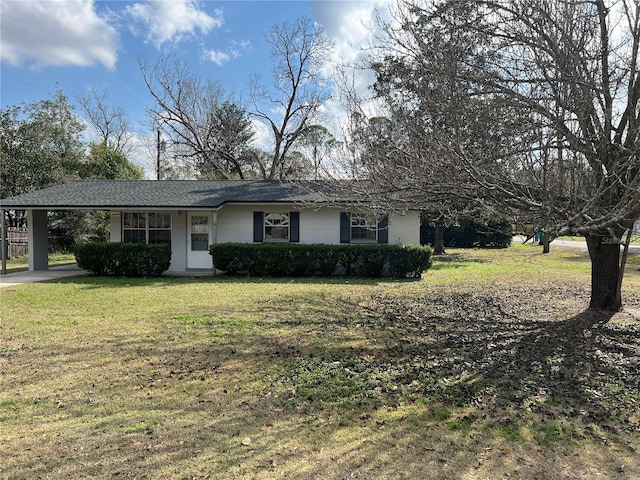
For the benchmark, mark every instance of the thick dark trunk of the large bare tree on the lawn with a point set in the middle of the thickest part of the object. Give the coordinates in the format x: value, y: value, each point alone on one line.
x: 605, y: 268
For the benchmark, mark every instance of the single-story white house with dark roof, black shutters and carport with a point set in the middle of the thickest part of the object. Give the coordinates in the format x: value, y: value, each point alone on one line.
x: 192, y: 214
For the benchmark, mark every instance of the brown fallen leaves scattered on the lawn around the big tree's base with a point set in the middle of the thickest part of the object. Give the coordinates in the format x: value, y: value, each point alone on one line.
x: 529, y: 348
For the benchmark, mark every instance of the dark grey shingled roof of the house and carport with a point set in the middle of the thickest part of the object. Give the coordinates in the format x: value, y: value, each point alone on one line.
x: 169, y: 194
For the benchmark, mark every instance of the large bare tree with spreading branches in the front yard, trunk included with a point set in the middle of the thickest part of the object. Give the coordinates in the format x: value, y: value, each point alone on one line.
x: 551, y: 89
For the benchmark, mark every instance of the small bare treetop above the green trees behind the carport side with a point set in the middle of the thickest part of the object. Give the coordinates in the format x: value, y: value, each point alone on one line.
x: 108, y: 122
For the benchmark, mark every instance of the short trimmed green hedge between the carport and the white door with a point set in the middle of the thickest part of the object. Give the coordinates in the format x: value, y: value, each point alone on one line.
x: 123, y: 259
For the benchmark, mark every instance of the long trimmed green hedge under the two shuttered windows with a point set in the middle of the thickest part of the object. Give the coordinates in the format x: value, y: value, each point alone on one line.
x: 292, y: 260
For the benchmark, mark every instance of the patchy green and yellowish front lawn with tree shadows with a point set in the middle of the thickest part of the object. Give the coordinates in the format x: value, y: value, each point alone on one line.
x: 488, y: 367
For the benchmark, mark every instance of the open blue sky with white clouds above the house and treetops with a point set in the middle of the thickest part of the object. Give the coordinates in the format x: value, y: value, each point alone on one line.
x: 78, y: 45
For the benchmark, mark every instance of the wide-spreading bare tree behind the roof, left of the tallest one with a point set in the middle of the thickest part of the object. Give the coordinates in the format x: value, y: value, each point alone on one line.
x: 205, y: 127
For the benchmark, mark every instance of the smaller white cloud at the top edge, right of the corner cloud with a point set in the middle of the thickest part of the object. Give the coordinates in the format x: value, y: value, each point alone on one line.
x: 172, y: 20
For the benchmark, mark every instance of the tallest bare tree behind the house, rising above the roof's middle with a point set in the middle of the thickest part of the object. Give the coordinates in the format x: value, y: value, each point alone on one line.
x: 298, y: 49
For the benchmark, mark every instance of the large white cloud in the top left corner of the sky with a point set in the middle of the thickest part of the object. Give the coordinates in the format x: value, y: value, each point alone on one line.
x: 56, y: 33
